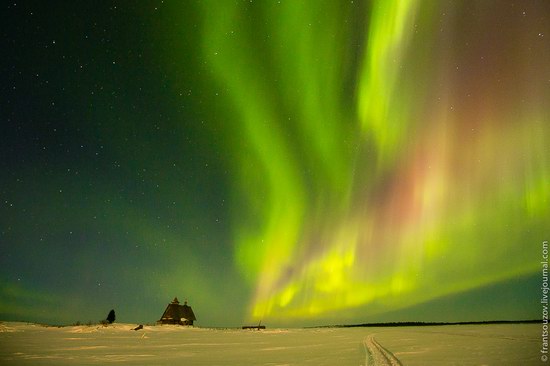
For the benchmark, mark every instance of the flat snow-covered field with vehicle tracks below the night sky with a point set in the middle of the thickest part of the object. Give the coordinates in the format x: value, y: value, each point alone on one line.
x: 501, y: 344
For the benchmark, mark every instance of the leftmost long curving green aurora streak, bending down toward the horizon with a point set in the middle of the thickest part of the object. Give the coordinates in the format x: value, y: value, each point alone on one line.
x: 267, y: 166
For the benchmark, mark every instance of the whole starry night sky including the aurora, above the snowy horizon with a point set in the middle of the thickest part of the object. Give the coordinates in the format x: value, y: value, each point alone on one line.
x: 294, y: 162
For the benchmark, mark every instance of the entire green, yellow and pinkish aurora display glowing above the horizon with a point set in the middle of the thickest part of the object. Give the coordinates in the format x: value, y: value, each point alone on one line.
x: 375, y: 175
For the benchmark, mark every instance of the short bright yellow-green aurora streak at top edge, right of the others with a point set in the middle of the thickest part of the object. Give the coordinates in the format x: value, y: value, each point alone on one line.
x: 378, y: 107
